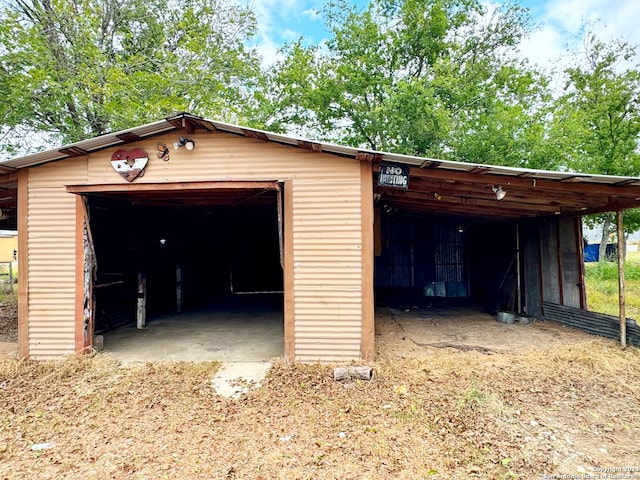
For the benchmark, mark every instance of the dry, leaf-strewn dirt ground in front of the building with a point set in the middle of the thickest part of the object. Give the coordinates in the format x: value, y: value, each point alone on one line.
x: 455, y: 395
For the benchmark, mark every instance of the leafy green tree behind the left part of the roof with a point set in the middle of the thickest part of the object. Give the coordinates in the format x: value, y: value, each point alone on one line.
x: 76, y: 69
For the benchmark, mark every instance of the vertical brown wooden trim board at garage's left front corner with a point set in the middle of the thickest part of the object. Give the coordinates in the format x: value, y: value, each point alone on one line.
x: 23, y: 264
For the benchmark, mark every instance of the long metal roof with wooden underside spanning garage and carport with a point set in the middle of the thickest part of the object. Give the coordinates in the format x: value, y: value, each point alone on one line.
x: 460, y: 188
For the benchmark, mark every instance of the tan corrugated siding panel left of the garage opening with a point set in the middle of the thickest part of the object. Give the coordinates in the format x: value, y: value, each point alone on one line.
x: 51, y: 271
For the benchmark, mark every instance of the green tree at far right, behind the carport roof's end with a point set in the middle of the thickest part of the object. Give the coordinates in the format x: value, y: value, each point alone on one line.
x: 597, y: 122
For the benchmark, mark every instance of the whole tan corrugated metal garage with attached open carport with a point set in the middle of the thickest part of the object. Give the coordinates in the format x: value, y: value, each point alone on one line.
x: 122, y: 231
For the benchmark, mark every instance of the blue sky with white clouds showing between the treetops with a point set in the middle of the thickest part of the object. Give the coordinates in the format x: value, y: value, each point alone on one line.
x: 559, y: 24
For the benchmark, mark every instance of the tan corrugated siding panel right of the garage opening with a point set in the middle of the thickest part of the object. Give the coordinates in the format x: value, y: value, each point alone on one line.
x: 327, y: 236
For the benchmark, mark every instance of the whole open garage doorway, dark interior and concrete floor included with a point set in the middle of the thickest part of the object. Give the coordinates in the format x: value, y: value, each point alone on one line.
x: 208, y: 263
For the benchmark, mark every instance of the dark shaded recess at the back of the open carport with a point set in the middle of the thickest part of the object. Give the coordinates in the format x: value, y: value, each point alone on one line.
x: 447, y: 261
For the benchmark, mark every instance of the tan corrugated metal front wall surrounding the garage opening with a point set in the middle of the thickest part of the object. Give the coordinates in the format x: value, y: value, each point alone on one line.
x: 327, y: 235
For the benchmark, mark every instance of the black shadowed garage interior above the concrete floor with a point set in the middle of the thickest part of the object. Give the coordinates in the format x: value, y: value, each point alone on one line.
x: 200, y: 252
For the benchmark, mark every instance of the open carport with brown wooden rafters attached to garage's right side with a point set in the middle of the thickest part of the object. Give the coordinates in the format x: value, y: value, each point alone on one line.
x: 504, y: 239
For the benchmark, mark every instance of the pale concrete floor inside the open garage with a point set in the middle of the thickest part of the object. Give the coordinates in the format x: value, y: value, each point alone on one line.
x: 245, y: 329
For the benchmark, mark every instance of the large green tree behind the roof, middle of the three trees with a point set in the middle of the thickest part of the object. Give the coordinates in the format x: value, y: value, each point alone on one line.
x: 433, y: 78
